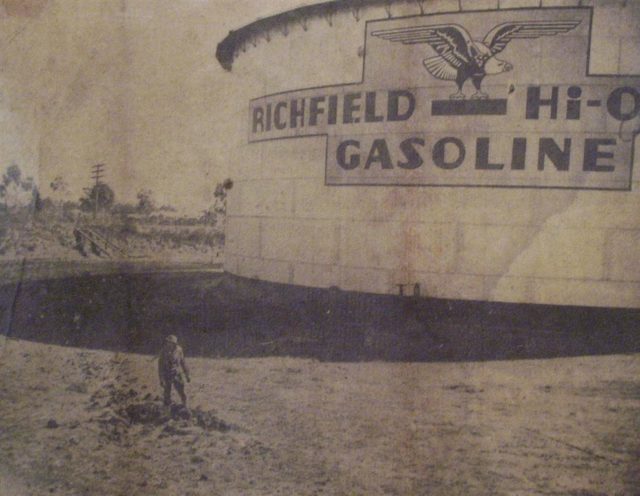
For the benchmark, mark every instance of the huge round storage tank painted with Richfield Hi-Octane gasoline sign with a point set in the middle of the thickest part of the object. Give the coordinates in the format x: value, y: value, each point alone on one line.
x: 476, y: 150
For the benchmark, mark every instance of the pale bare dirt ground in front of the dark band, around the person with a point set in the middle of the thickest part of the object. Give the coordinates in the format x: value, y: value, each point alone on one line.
x: 294, y: 426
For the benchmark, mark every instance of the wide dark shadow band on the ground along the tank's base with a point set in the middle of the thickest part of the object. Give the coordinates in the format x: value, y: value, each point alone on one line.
x: 220, y: 315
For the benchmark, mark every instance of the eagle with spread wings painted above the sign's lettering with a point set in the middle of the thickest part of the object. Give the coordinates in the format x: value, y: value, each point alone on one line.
x: 461, y: 58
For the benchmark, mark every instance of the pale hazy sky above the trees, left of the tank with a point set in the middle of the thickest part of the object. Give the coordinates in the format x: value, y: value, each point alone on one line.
x: 133, y: 84
